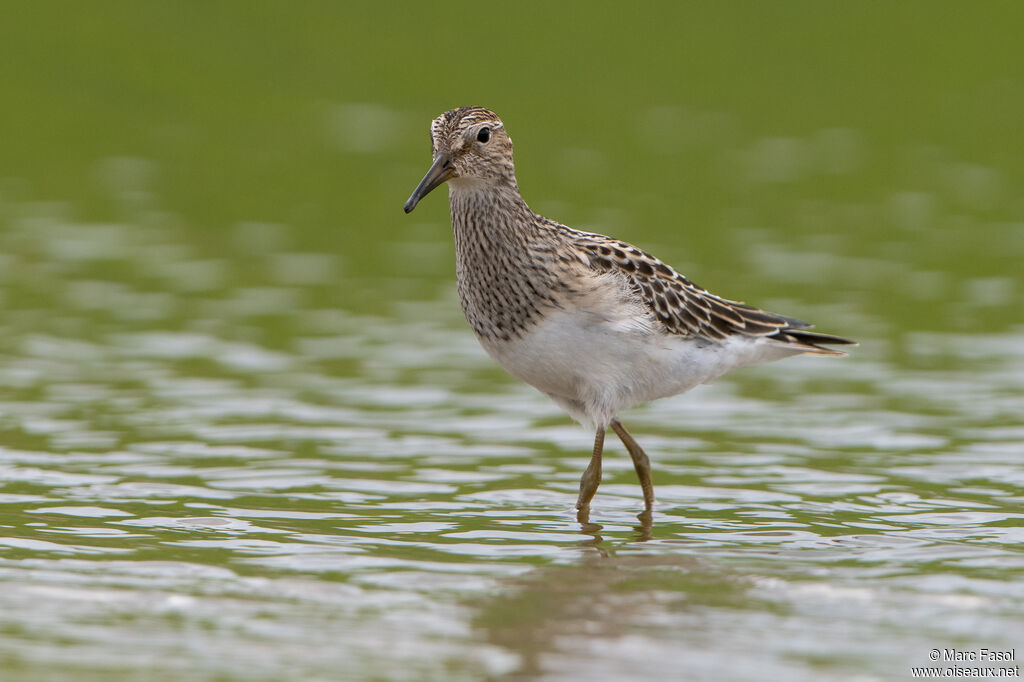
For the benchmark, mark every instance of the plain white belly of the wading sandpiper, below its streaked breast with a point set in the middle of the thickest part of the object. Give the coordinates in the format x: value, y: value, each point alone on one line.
x: 595, y: 367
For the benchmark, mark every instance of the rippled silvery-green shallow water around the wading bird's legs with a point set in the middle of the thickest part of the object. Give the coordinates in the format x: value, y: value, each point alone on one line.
x: 370, y: 498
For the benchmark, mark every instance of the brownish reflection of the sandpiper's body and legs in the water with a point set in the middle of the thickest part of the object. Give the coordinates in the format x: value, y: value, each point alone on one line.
x: 558, y: 613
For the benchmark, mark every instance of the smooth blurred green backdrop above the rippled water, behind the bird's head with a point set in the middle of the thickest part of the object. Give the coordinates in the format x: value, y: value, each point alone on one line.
x: 685, y: 127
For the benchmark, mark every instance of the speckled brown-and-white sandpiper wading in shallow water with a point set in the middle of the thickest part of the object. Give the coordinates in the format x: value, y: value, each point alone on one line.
x: 596, y: 324
